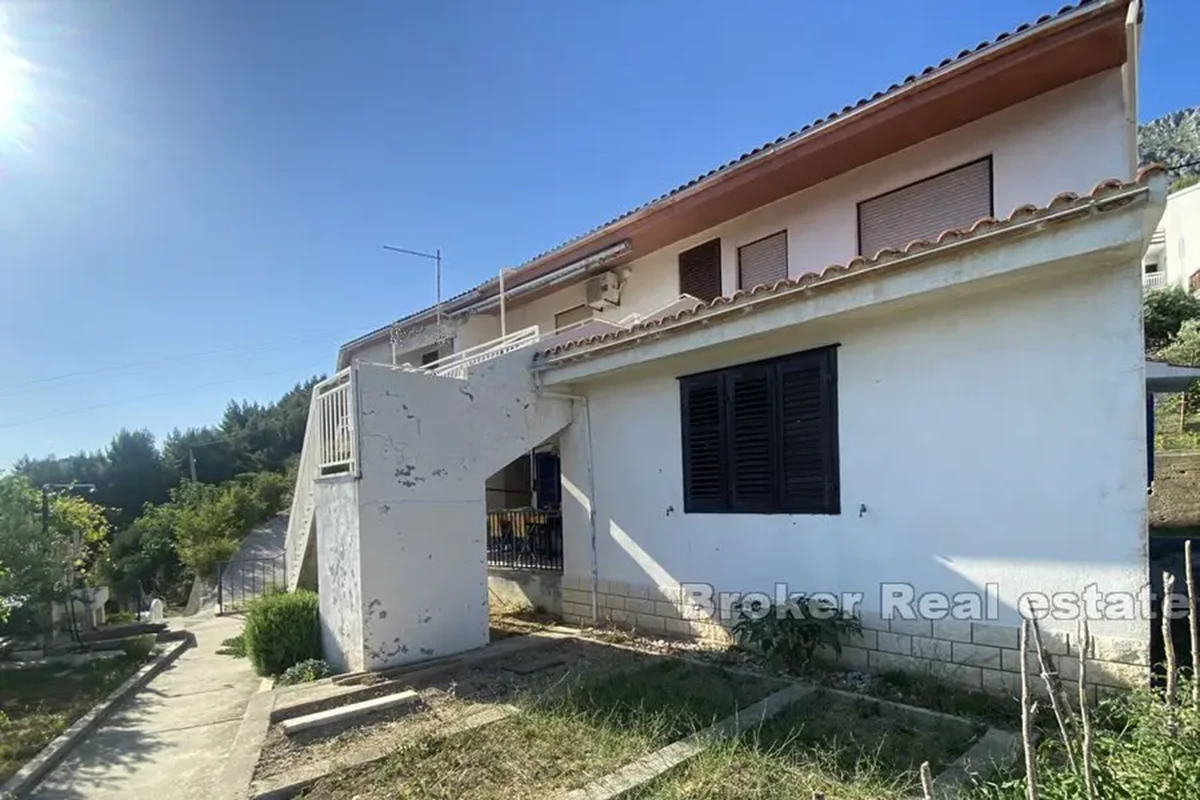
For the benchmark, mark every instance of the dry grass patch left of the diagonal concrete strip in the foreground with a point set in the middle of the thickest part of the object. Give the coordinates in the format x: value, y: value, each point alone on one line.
x: 561, y: 741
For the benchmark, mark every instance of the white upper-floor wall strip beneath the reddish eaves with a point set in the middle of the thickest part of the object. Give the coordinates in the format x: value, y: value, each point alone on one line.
x: 1066, y: 141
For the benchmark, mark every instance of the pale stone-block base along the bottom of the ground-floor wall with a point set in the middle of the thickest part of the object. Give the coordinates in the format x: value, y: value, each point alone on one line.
x: 975, y: 655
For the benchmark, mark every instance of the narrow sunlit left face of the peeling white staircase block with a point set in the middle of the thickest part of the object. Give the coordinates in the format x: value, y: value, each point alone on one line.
x: 338, y: 572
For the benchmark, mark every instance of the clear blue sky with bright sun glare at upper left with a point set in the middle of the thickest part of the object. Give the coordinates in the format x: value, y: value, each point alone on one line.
x: 194, y: 194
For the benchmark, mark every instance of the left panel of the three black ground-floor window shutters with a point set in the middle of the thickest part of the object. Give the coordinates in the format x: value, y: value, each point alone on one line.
x: 704, y: 444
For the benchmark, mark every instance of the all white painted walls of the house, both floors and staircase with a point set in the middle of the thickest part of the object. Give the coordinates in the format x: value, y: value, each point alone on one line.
x: 991, y: 414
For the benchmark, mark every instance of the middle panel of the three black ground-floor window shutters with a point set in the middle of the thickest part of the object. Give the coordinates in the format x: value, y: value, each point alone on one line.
x: 751, y: 446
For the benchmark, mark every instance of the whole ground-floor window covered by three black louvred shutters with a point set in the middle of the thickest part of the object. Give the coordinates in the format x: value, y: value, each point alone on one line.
x: 763, y: 438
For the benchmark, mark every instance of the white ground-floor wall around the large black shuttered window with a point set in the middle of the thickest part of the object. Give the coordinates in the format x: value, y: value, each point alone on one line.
x: 993, y: 438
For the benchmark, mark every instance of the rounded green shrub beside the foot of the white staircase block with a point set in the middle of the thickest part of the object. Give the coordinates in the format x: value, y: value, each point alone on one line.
x: 283, y: 630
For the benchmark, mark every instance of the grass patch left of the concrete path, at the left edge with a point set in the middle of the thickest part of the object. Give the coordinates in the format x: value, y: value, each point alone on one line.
x: 39, y: 705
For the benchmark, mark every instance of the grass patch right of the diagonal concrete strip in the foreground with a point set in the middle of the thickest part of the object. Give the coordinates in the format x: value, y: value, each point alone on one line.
x: 848, y: 749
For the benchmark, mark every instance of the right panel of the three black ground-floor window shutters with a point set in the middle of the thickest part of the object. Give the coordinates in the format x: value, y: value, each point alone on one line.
x: 809, y: 434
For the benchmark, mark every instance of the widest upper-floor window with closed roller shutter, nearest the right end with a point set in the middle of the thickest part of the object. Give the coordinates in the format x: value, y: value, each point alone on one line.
x: 957, y: 199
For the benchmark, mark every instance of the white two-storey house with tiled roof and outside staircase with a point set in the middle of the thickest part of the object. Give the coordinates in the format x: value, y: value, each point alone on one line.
x: 898, y: 351
